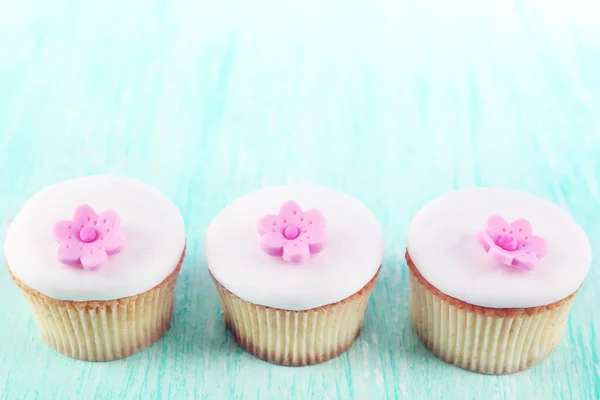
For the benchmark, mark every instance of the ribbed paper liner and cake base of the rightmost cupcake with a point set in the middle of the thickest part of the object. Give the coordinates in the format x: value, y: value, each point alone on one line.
x: 480, y: 339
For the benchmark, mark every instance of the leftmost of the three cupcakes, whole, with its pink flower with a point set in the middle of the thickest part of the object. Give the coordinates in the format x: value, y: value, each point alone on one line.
x: 97, y: 259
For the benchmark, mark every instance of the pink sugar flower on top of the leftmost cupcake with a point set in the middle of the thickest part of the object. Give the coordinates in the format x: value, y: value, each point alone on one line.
x: 89, y: 238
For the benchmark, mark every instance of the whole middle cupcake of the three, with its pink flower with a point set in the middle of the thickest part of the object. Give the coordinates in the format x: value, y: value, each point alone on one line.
x: 294, y: 267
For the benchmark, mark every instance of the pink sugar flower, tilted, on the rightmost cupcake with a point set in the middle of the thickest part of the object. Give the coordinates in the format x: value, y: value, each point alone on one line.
x: 512, y: 243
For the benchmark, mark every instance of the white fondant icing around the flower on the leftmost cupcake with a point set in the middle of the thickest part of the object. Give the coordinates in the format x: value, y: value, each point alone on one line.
x: 152, y: 224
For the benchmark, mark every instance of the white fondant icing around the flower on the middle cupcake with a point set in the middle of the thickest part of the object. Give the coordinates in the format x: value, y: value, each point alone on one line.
x: 347, y: 264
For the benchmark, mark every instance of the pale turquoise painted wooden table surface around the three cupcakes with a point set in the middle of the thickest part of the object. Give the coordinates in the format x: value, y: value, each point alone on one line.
x: 394, y: 103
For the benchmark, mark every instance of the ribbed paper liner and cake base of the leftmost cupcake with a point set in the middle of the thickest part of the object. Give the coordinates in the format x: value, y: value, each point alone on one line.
x: 104, y: 330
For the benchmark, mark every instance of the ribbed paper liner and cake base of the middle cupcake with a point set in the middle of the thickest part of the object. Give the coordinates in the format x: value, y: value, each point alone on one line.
x: 295, y: 338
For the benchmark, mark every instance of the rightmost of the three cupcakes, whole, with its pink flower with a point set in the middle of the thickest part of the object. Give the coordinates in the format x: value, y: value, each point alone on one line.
x: 493, y: 275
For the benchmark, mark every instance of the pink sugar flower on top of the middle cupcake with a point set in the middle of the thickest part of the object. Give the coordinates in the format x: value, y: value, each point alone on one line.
x: 293, y: 234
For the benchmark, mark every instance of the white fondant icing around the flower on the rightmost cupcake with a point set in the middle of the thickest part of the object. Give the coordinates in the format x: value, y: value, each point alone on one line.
x: 442, y: 244
